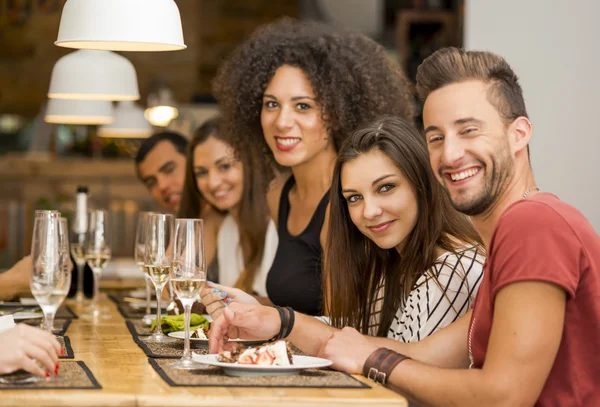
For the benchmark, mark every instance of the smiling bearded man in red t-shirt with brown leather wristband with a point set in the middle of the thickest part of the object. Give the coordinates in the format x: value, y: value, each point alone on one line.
x: 533, y: 335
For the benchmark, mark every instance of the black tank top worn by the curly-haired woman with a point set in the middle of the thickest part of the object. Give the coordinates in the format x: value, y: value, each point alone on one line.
x: 294, y: 279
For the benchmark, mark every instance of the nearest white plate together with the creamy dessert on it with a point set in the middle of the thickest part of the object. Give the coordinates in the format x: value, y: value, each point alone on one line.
x: 270, y: 359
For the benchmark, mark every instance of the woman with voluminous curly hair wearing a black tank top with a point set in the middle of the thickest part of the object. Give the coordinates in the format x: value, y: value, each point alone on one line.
x: 290, y: 95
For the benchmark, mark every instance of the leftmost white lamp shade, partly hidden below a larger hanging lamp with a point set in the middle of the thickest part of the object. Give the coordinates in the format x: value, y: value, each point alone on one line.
x: 69, y: 111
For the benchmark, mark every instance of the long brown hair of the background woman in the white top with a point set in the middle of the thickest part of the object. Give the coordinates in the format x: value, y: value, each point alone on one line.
x: 253, y: 213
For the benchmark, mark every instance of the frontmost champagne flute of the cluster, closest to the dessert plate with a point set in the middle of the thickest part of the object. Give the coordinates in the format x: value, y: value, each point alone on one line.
x: 188, y: 276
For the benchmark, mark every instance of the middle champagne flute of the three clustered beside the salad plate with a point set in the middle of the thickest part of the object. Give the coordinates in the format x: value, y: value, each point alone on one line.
x: 158, y: 256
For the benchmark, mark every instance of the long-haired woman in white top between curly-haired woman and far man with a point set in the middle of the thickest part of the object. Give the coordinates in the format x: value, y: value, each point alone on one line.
x: 240, y: 238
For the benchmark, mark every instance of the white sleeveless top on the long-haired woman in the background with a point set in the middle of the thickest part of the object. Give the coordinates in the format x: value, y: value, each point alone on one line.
x: 231, y: 258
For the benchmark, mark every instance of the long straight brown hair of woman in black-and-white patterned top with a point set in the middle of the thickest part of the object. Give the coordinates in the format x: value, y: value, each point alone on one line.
x: 355, y: 267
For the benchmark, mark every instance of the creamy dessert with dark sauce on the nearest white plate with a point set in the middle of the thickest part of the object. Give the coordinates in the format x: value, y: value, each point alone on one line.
x: 270, y: 354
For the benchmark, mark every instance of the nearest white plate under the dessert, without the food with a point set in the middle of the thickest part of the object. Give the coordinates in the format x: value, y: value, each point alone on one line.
x: 233, y: 369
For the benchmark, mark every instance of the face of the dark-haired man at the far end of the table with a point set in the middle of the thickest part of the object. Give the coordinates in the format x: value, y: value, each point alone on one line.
x: 163, y: 173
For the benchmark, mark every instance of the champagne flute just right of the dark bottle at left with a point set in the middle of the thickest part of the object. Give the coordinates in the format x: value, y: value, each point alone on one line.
x: 97, y: 255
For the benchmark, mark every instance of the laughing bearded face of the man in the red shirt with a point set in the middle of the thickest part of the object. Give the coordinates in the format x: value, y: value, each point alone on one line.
x: 468, y: 145
